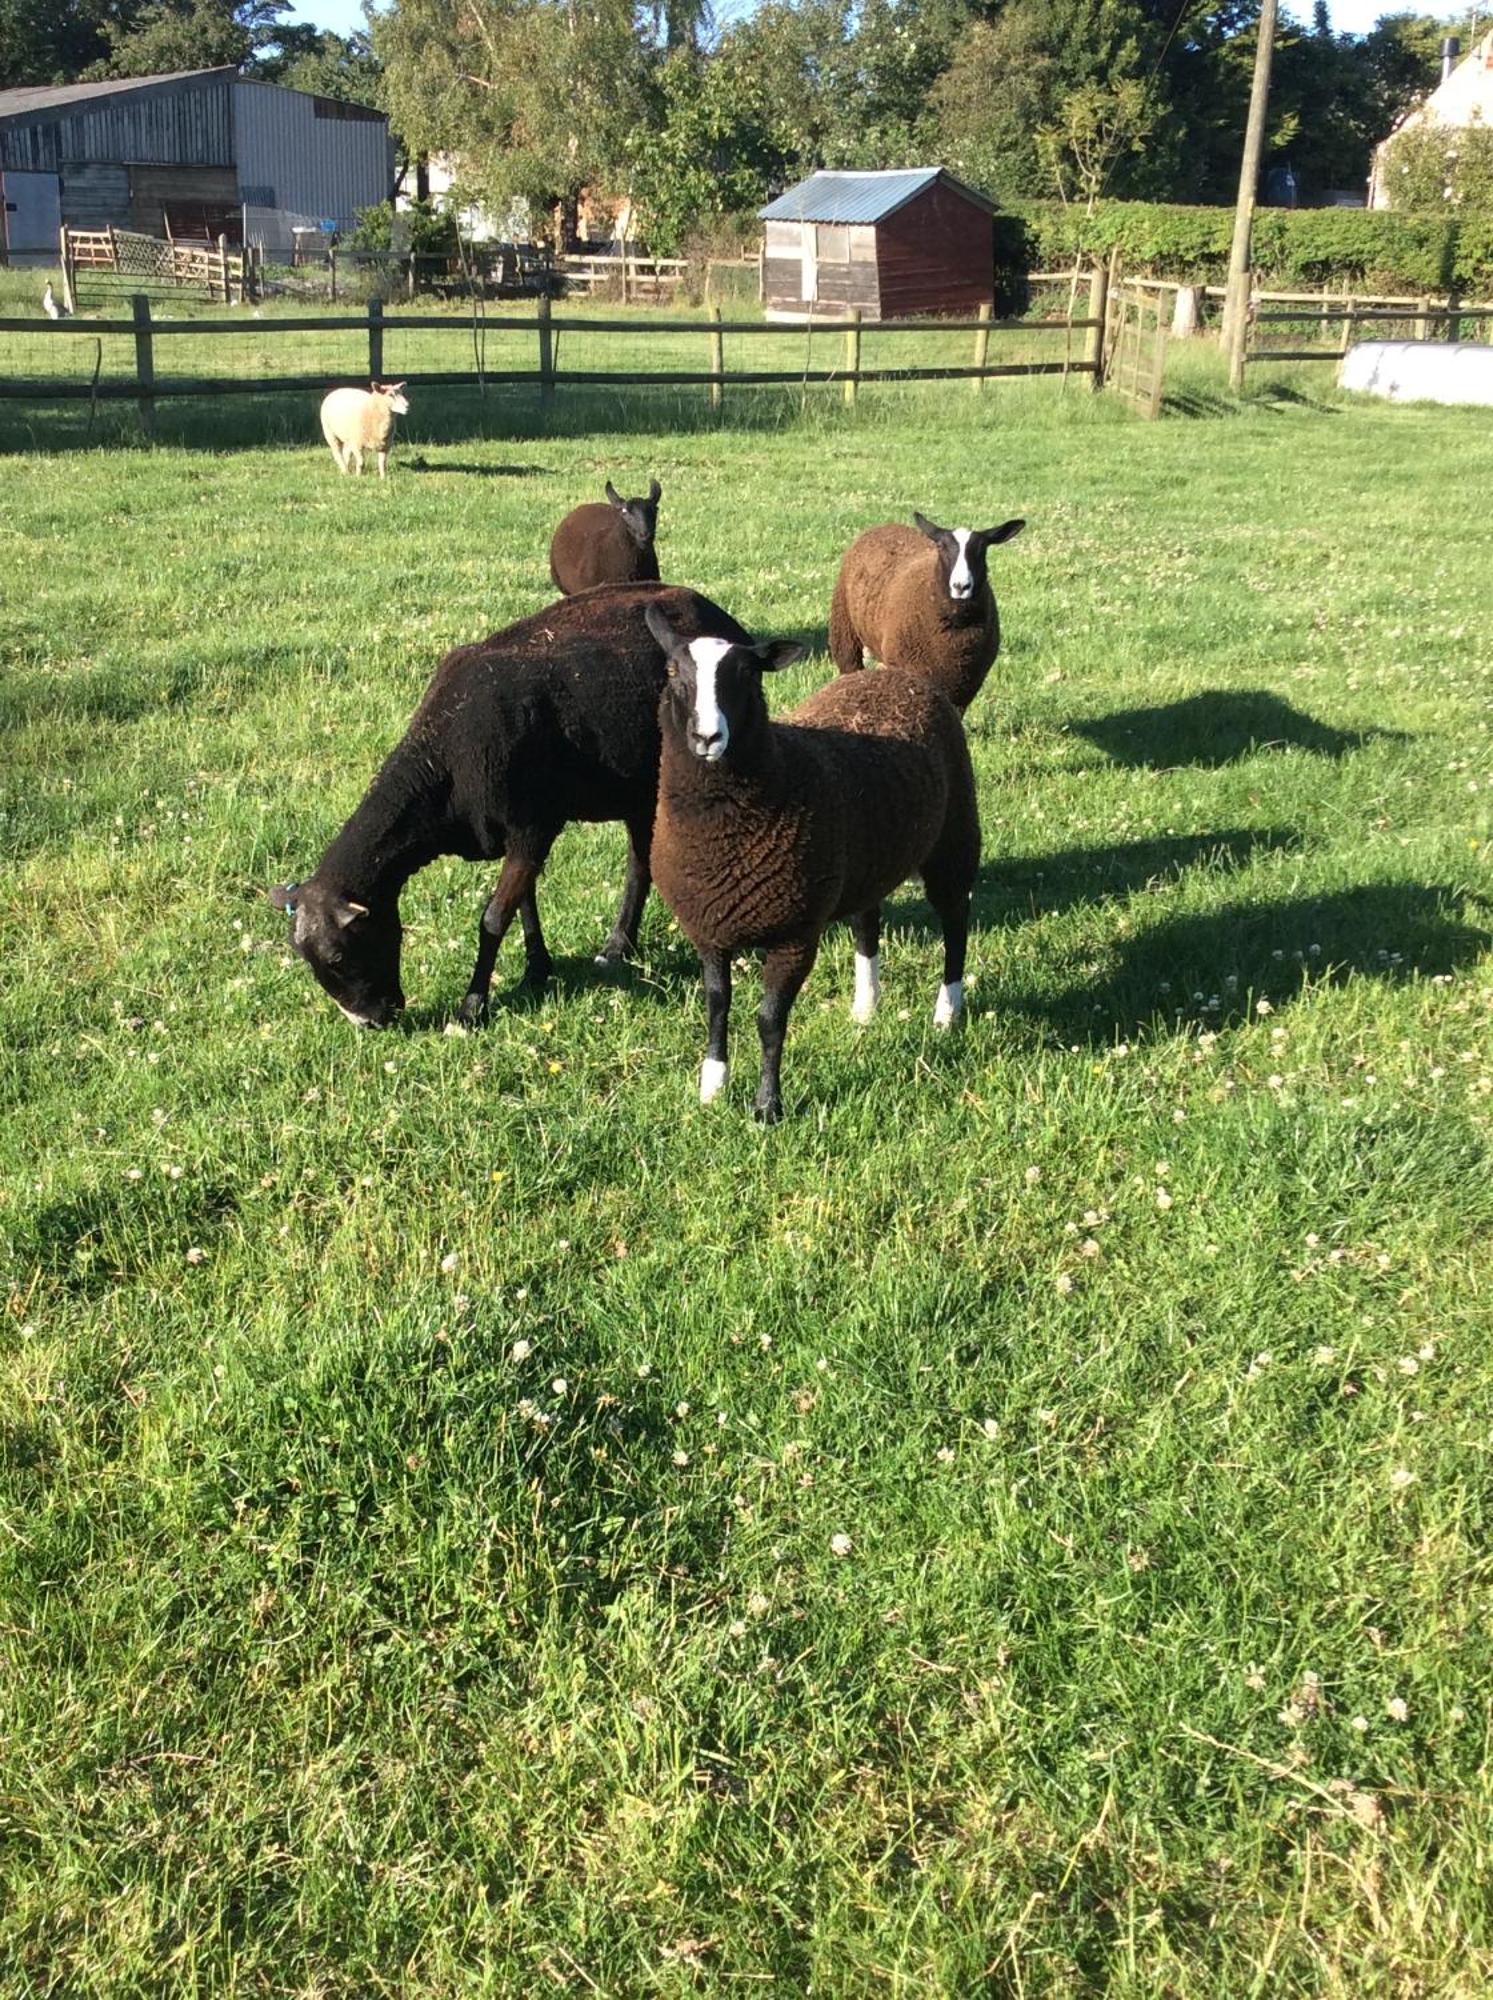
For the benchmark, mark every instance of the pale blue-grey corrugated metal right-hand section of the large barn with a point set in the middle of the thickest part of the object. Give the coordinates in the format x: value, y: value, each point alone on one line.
x: 305, y: 161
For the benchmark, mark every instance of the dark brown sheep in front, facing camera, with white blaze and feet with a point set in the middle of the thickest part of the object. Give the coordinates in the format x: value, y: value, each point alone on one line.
x: 770, y: 831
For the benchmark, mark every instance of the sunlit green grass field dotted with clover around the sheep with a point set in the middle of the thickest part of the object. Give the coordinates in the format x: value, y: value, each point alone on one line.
x: 477, y: 1523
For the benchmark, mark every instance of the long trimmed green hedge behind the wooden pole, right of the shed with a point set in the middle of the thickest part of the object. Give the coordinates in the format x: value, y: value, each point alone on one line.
x: 1330, y: 249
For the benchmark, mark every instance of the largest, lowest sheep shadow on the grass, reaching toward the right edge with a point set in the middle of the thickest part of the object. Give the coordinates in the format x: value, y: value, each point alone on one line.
x: 1214, y: 971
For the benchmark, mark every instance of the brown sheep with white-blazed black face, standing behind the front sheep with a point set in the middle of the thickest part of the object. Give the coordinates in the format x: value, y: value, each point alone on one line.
x: 920, y: 599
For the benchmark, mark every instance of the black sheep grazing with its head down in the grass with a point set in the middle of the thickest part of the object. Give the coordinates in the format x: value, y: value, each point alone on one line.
x: 549, y: 721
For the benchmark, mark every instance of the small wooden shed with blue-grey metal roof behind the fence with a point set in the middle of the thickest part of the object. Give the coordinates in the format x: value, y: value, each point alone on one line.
x: 894, y: 245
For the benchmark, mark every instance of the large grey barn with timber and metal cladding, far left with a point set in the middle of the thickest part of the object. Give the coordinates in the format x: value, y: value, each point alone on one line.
x: 201, y: 153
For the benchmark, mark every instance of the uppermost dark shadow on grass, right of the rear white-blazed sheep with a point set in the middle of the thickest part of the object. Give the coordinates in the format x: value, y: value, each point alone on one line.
x: 1218, y: 729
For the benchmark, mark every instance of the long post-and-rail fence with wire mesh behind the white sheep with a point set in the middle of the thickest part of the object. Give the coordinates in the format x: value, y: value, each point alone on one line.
x: 525, y: 349
